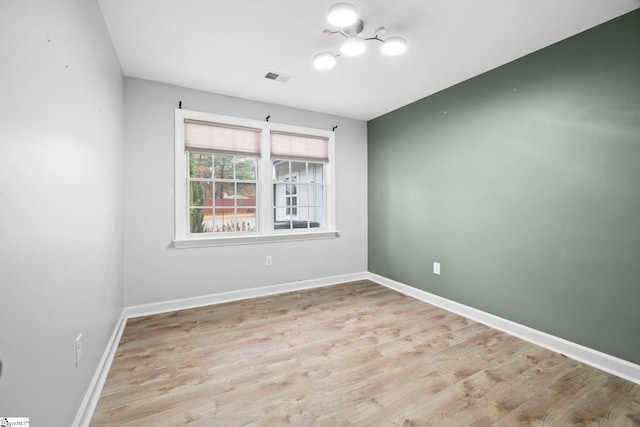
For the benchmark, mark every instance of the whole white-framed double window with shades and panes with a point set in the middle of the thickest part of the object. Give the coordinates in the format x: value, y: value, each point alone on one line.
x: 244, y: 181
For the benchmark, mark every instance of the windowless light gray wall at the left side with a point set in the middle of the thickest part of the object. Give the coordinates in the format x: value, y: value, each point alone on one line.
x: 61, y: 246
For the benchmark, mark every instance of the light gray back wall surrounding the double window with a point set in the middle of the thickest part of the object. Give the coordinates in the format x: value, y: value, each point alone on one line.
x: 155, y: 272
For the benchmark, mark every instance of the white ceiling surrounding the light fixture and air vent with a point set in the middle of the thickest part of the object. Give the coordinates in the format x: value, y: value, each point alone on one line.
x: 227, y: 46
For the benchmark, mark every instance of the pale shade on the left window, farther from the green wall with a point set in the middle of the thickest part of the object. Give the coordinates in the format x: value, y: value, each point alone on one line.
x: 222, y: 139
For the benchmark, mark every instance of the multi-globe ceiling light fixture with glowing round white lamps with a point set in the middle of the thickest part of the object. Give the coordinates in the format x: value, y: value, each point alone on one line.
x: 344, y: 16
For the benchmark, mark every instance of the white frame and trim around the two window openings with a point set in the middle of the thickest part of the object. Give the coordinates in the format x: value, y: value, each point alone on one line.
x: 266, y: 233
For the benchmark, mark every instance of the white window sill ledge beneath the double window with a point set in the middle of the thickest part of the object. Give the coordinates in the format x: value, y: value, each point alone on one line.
x: 199, y: 242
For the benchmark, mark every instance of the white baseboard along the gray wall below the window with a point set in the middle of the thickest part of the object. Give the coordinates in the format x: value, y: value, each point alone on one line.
x: 185, y: 303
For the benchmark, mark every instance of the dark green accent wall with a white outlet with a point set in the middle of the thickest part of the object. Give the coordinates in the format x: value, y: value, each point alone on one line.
x: 524, y: 183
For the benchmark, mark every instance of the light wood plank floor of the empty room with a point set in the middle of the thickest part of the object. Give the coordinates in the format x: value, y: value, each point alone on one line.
x: 356, y: 354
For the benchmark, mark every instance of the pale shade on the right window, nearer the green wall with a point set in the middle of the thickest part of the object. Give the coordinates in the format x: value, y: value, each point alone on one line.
x: 299, y: 147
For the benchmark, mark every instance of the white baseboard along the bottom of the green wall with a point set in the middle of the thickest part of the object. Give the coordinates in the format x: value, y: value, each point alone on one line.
x: 613, y: 365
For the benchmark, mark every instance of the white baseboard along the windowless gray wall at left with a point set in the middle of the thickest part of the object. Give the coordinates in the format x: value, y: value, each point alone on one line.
x: 88, y: 405
